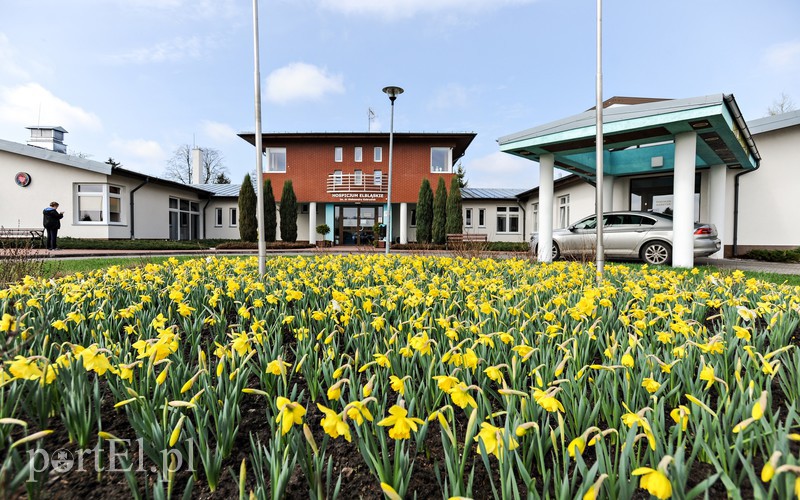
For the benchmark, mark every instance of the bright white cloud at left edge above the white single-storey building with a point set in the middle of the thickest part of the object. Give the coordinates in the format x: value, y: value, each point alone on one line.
x: 32, y: 104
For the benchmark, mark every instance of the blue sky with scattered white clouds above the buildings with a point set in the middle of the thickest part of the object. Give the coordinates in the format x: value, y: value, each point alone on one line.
x: 134, y: 79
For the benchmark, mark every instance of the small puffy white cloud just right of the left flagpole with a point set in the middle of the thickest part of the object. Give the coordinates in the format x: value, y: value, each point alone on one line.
x: 301, y: 81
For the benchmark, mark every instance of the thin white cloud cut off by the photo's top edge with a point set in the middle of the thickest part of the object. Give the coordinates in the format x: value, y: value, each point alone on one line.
x: 401, y: 9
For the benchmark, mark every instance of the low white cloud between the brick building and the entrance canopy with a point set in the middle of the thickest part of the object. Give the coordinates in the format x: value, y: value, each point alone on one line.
x: 502, y: 170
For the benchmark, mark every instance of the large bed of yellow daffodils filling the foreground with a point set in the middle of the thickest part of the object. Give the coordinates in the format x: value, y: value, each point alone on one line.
x: 497, y: 378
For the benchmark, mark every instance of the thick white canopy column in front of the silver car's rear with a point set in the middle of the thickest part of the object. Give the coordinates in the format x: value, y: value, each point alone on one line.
x: 683, y: 200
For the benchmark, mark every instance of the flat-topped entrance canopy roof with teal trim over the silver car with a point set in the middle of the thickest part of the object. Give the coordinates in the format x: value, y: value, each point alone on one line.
x: 640, y: 138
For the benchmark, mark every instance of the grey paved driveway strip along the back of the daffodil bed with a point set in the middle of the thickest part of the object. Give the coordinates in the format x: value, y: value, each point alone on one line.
x: 742, y: 264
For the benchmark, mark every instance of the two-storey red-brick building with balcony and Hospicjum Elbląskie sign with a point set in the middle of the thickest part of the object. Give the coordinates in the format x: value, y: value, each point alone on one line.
x: 342, y: 179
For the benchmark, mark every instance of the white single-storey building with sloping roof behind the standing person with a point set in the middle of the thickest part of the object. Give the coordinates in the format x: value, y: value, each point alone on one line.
x: 98, y: 200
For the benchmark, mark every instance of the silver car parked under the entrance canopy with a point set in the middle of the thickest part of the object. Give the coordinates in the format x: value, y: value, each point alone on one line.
x: 629, y: 235
